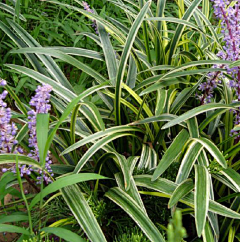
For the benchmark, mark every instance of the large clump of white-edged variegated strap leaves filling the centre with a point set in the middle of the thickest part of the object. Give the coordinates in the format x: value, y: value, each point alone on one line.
x: 149, y: 119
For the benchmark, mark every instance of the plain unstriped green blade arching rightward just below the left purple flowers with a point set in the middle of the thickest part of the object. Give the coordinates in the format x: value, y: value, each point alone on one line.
x: 63, y: 182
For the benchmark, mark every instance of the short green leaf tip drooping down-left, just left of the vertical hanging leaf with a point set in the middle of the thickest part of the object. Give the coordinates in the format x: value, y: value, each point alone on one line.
x: 183, y: 189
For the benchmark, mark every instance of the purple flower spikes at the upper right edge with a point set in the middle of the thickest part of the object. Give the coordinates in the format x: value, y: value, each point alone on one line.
x: 229, y: 17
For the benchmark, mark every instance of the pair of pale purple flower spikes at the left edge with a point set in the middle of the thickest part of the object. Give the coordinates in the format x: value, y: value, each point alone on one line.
x: 40, y: 102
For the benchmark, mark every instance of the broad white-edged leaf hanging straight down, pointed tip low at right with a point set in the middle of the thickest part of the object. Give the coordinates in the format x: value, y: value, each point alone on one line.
x: 201, y: 198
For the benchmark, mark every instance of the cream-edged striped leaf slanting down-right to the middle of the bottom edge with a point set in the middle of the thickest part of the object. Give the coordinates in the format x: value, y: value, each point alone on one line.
x: 131, y: 207
